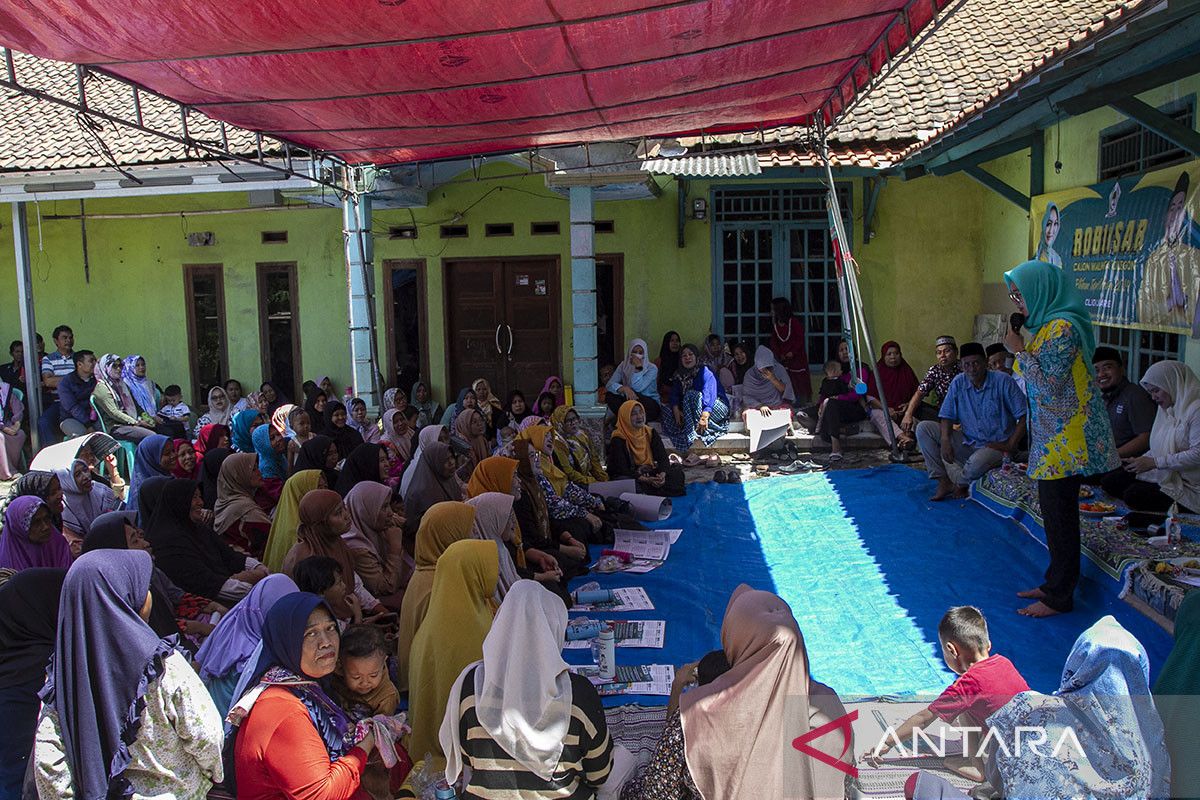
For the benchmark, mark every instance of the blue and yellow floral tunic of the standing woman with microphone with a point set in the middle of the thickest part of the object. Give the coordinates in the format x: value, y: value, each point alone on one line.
x: 1070, y: 430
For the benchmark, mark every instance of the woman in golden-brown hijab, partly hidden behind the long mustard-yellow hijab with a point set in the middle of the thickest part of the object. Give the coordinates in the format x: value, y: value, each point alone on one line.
x: 442, y: 526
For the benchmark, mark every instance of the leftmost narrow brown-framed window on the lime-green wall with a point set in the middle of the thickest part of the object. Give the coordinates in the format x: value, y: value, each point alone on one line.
x: 206, y: 329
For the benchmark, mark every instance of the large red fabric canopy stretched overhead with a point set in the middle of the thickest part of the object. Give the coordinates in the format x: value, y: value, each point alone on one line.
x: 395, y: 81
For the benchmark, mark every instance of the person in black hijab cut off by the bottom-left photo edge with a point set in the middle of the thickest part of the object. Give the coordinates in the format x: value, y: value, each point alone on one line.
x: 29, y: 616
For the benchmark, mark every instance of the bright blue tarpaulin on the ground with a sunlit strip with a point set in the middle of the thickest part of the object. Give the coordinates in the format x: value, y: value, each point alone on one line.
x: 869, y: 566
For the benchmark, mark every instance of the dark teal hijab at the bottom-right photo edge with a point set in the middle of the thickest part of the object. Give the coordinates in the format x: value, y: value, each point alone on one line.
x: 1178, y: 696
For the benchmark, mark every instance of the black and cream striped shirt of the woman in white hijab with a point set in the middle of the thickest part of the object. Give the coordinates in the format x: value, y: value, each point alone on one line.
x: 584, y: 766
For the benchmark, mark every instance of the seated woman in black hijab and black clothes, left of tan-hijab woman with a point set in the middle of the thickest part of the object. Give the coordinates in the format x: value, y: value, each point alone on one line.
x: 191, y: 555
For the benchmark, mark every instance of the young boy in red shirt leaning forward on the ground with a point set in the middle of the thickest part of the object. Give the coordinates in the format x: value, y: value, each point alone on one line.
x: 986, y: 684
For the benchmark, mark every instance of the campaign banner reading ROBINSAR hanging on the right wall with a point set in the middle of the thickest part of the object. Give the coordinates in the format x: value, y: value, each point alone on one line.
x: 1132, y: 245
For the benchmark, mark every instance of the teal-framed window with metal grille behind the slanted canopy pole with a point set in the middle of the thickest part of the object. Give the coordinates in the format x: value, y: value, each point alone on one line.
x: 770, y: 243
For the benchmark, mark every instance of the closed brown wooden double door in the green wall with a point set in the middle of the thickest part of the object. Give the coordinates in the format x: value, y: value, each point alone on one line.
x: 502, y: 322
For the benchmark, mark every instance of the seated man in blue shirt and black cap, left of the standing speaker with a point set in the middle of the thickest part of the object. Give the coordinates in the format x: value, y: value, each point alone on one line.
x: 991, y: 411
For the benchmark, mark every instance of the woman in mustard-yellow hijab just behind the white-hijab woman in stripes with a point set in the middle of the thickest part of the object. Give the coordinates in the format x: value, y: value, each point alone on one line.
x: 451, y: 636
